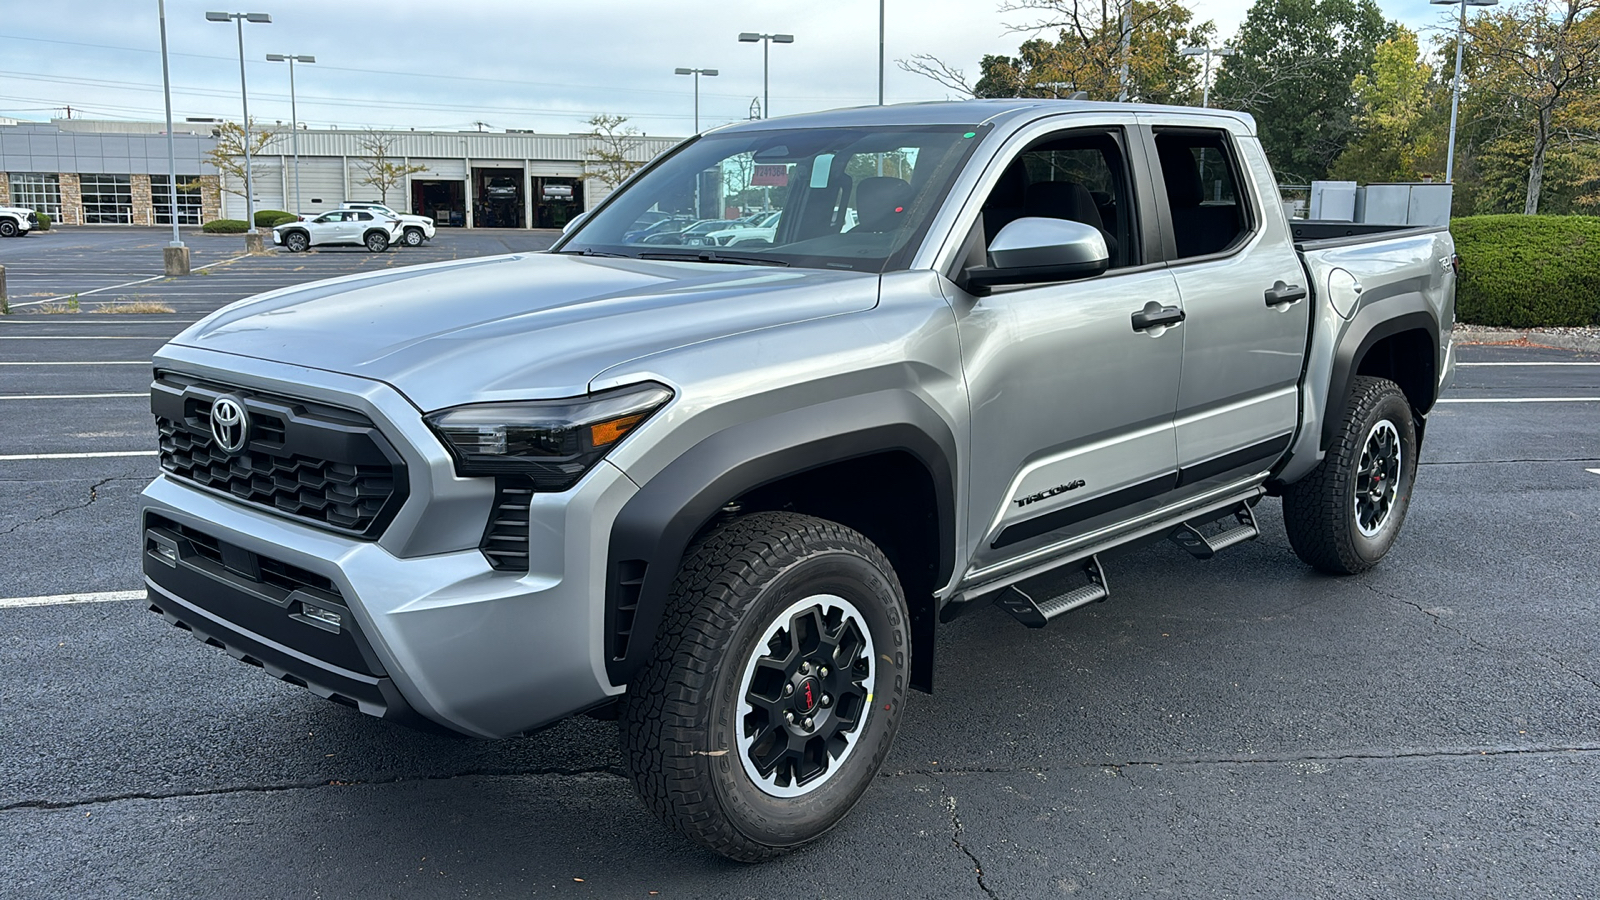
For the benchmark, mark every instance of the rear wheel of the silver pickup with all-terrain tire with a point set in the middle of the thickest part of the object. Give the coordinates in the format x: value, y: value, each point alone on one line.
x: 1346, y: 515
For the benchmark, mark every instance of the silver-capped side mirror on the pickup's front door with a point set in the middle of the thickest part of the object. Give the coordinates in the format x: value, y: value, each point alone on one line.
x: 1039, y: 251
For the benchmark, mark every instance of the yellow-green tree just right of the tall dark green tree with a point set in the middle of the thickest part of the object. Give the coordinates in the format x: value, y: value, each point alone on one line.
x: 1401, y: 118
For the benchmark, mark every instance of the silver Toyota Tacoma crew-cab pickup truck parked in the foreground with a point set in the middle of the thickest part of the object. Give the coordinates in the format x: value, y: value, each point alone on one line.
x: 729, y: 494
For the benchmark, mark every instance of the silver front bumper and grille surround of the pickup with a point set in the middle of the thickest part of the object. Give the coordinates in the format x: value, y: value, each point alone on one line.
x: 447, y: 638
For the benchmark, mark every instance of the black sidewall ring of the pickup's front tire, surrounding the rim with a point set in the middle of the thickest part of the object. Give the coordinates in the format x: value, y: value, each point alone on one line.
x: 785, y: 822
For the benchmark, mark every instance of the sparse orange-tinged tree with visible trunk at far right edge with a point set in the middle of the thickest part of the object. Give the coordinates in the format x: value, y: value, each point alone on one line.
x: 1538, y: 65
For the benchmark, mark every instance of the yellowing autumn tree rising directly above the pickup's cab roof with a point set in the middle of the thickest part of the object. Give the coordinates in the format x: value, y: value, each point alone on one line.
x: 1087, y: 54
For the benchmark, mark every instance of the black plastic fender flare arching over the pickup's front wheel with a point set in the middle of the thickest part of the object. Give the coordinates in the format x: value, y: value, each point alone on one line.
x: 655, y: 528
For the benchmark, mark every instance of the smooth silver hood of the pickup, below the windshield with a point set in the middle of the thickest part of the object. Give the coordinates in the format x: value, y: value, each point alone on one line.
x: 518, y: 327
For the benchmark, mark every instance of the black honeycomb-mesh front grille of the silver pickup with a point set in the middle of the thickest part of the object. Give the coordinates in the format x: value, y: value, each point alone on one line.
x: 311, y: 462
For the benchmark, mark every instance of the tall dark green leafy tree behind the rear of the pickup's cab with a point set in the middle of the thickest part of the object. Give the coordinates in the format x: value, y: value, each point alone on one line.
x: 1294, y: 68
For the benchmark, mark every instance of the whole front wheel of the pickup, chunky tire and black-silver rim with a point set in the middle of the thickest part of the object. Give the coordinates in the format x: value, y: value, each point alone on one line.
x: 775, y: 689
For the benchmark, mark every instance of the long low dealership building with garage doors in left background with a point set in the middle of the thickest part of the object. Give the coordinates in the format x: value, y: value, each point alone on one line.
x: 86, y: 172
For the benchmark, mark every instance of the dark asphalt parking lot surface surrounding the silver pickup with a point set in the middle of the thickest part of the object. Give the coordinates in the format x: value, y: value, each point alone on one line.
x: 1234, y: 728
